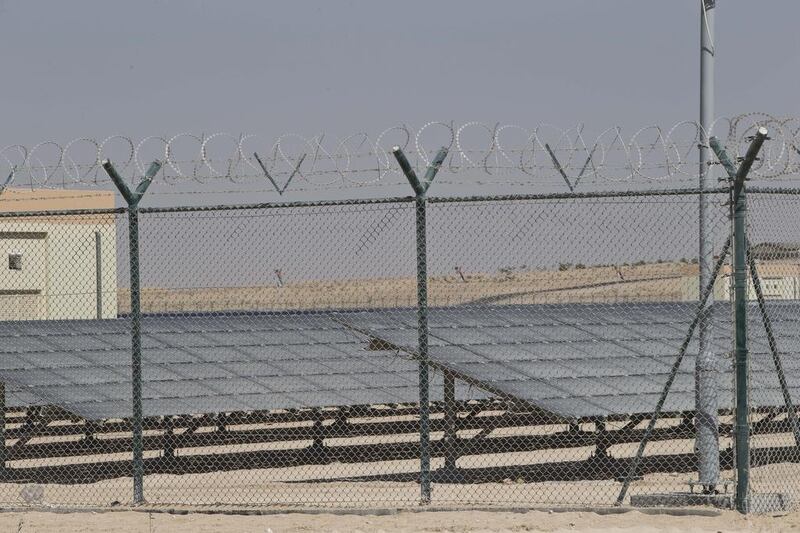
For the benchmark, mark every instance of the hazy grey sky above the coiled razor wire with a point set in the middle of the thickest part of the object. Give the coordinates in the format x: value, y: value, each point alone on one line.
x: 96, y: 68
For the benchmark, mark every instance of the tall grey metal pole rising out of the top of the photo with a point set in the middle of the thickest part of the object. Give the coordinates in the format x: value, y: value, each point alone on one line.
x: 706, y: 383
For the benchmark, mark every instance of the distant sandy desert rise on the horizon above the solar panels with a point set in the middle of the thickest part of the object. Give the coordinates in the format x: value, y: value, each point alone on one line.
x: 641, y: 283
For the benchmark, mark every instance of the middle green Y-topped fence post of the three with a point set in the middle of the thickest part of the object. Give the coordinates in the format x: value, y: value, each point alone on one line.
x: 420, y: 189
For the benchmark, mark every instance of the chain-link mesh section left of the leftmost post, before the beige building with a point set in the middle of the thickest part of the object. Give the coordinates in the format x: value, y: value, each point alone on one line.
x: 58, y: 280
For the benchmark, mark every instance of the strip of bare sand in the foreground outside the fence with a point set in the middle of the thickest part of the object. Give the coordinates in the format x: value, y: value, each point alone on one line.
x: 451, y: 521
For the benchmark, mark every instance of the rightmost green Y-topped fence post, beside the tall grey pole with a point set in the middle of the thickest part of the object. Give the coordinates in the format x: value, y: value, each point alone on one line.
x: 738, y: 207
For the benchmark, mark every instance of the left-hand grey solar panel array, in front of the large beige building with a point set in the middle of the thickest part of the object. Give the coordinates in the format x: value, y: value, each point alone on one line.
x: 203, y: 364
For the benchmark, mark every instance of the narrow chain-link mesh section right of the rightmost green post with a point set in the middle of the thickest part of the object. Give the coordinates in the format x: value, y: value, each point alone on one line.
x: 773, y: 296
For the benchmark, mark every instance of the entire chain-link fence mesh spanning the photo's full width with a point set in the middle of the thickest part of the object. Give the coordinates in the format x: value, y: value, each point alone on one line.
x: 521, y: 350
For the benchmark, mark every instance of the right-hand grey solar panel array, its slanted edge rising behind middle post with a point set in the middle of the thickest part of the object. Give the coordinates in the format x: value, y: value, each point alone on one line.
x: 587, y: 360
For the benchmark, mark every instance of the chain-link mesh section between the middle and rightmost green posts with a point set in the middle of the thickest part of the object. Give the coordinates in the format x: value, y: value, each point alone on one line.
x: 578, y: 309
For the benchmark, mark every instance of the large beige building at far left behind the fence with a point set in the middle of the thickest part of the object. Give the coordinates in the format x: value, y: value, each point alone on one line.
x: 60, y: 267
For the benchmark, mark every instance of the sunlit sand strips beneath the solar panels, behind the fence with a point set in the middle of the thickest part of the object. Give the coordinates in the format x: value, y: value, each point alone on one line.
x: 337, y: 485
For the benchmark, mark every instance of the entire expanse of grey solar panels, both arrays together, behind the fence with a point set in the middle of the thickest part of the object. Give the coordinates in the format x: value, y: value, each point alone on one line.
x: 572, y: 360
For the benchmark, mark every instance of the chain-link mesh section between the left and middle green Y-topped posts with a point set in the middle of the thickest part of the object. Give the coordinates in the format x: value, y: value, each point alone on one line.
x: 286, y: 402
